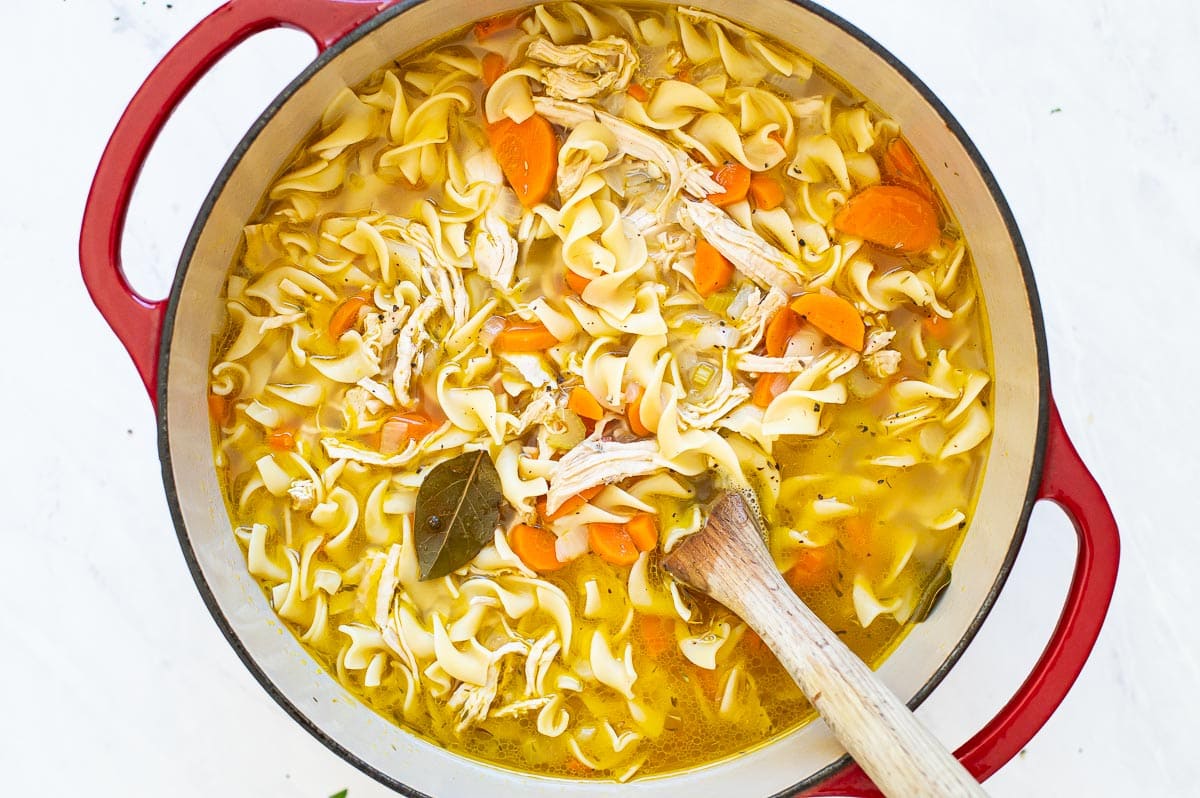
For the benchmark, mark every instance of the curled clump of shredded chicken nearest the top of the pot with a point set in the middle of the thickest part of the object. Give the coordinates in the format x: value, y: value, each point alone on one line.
x: 580, y: 71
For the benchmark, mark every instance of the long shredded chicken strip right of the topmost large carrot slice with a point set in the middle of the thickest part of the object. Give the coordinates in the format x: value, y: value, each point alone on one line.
x: 633, y: 141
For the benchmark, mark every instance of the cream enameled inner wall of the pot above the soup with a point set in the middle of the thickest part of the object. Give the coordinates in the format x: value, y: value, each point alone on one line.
x: 410, y: 764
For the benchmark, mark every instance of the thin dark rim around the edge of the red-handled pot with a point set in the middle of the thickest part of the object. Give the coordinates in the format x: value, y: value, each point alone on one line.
x: 320, y: 63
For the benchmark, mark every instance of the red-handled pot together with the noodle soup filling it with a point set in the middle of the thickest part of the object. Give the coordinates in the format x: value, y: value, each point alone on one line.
x: 489, y: 304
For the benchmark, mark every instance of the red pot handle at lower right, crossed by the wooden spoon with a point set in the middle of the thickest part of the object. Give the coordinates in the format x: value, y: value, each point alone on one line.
x: 1067, y: 483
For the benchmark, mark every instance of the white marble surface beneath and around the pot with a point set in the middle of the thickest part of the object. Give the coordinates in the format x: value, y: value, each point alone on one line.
x: 116, y: 682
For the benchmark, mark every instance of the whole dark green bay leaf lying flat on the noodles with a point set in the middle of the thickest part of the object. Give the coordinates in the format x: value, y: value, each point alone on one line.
x: 458, y: 509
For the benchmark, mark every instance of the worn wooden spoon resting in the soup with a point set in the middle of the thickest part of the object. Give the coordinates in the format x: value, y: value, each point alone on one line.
x: 728, y: 561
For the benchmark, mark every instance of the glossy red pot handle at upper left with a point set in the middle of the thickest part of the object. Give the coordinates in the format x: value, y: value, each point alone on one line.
x: 136, y: 320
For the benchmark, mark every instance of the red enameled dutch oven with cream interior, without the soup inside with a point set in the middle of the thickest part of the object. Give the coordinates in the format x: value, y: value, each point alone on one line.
x: 1030, y: 459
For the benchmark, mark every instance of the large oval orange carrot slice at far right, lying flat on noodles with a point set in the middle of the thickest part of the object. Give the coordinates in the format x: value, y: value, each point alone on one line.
x: 891, y: 217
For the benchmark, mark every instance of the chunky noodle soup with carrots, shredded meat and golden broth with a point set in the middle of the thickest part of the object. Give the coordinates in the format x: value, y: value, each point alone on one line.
x: 519, y: 308
